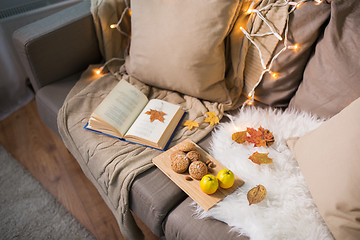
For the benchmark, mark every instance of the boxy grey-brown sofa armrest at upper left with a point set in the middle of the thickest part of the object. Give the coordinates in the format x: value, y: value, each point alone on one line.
x: 59, y: 45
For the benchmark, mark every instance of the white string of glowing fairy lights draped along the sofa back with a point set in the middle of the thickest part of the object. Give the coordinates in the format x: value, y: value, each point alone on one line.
x: 260, y: 14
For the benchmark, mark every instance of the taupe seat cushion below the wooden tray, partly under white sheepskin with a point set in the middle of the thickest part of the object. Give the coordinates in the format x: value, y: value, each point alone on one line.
x: 181, y: 224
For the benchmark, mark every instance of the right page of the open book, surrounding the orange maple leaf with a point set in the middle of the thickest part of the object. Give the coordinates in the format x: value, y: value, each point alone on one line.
x: 152, y: 131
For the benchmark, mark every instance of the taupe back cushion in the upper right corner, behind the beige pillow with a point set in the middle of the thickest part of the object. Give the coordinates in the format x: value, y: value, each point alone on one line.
x: 331, y: 78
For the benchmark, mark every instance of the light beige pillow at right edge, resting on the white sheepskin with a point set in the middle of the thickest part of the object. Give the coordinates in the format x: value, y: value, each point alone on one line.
x: 329, y: 158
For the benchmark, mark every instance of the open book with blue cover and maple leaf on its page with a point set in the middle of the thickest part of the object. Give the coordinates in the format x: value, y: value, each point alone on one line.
x: 127, y: 114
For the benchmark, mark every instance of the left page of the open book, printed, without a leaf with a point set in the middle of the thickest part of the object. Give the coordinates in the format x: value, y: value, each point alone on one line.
x: 121, y: 106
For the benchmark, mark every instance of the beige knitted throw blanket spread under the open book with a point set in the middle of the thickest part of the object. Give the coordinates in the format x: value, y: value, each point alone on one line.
x: 110, y: 164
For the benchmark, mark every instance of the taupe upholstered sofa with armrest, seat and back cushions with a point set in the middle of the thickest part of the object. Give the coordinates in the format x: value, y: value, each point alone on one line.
x: 322, y: 78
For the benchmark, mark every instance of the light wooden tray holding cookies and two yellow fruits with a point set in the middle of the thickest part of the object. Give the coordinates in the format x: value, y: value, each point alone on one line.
x: 192, y: 188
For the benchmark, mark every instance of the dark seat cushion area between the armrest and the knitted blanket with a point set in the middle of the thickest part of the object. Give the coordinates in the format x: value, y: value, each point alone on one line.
x: 50, y: 98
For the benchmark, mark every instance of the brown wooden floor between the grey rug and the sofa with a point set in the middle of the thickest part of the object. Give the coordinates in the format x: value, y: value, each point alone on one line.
x: 42, y: 152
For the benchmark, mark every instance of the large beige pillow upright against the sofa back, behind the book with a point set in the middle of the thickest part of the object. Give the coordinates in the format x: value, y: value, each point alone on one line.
x: 179, y: 45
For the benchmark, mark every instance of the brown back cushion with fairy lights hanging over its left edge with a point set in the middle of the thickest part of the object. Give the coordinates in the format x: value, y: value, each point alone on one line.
x: 305, y: 26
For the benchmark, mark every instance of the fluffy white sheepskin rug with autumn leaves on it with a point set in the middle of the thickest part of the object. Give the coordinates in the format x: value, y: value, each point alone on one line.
x: 288, y: 210
